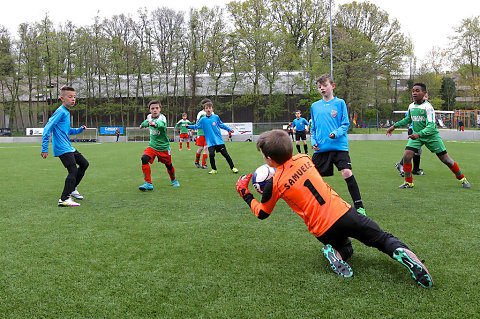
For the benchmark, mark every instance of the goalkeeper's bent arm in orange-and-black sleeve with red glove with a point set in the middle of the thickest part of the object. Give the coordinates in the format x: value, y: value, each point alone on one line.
x: 261, y: 209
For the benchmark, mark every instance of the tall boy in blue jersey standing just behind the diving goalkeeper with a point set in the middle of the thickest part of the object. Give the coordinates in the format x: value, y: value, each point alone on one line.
x: 329, y: 138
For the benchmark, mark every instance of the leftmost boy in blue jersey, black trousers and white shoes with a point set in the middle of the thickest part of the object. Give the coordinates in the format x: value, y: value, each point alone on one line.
x: 59, y: 125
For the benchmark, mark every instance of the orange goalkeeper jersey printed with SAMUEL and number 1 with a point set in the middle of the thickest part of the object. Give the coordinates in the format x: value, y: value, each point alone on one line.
x: 298, y: 182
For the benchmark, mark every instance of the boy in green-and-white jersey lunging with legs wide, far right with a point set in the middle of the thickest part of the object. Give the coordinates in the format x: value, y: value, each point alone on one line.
x: 422, y: 115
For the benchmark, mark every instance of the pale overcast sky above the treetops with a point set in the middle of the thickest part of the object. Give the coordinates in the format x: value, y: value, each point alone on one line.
x: 428, y: 22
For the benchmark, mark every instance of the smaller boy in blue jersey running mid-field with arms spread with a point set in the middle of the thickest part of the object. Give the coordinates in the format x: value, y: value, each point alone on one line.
x: 211, y: 125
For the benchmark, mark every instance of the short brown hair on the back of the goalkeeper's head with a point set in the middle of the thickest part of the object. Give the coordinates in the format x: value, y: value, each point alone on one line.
x: 275, y: 144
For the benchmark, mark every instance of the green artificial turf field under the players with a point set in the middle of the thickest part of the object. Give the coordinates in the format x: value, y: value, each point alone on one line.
x: 197, y: 251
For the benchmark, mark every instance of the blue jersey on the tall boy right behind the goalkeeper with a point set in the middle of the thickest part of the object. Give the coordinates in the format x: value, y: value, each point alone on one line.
x: 330, y: 117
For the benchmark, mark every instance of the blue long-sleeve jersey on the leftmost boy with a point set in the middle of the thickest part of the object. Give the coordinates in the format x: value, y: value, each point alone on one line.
x: 59, y: 125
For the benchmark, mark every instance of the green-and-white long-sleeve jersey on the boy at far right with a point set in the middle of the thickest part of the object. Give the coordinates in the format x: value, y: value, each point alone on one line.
x: 423, y: 119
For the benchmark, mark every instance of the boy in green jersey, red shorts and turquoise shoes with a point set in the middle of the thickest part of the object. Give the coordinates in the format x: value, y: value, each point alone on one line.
x: 159, y: 146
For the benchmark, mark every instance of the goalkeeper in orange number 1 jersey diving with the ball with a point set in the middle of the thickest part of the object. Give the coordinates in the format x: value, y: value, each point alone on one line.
x: 328, y: 217
